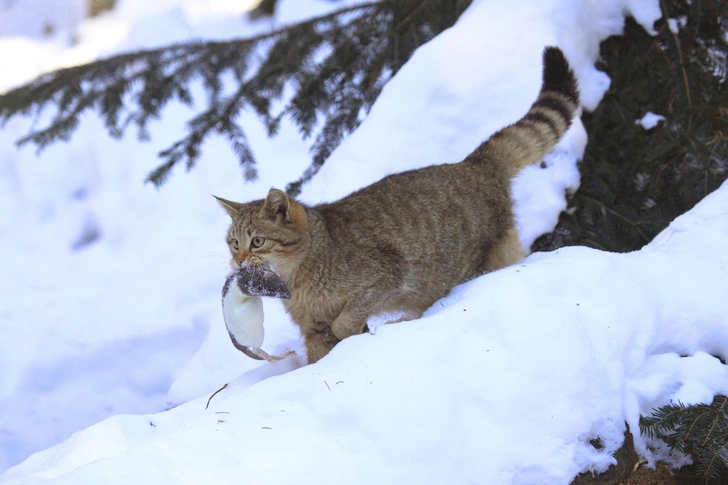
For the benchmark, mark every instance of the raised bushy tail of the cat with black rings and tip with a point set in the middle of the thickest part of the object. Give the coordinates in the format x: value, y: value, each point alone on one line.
x: 532, y: 137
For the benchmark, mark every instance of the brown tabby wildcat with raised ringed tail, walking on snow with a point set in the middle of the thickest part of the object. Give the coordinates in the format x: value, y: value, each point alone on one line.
x: 402, y: 243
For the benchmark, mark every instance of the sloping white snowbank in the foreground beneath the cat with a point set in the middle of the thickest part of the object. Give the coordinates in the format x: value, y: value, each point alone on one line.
x: 506, y: 381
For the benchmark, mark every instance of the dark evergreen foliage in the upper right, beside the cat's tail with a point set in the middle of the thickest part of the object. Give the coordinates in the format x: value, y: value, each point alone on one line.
x: 634, y: 182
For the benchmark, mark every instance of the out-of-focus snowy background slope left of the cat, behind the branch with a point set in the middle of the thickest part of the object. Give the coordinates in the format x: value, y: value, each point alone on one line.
x: 109, y: 285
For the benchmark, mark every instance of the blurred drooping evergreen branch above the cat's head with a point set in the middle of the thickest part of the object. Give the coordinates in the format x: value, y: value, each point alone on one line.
x: 336, y: 64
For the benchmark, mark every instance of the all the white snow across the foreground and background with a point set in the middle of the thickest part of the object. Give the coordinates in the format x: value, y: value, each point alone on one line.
x: 509, y: 377
